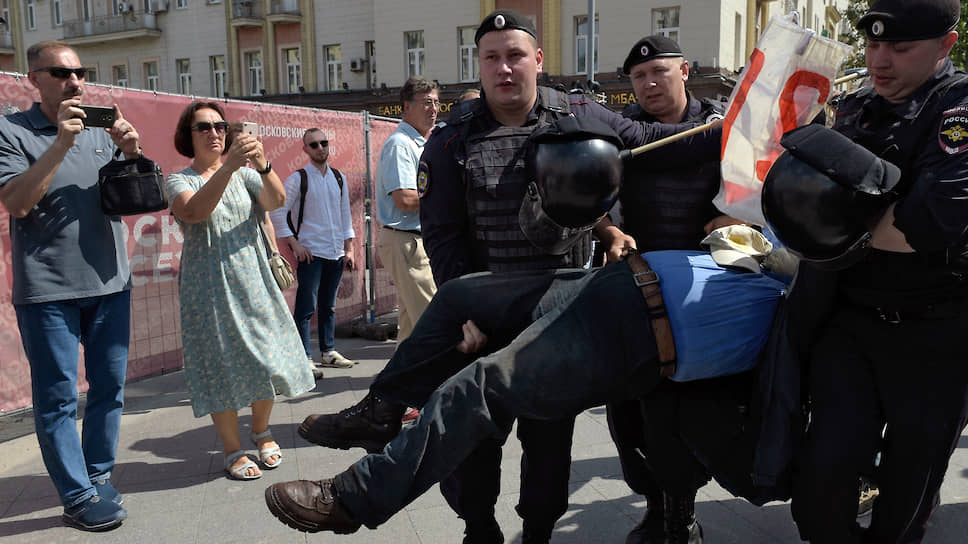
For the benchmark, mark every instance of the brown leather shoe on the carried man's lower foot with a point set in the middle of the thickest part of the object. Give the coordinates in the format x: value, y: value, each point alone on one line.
x: 310, y: 507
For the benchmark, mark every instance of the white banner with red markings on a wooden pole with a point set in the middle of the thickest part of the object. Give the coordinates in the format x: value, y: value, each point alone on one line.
x: 788, y: 79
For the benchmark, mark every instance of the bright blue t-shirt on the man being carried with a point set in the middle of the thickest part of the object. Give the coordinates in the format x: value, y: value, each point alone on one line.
x: 720, y: 318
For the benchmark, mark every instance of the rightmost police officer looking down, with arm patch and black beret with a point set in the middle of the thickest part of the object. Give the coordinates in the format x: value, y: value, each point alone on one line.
x: 891, y: 346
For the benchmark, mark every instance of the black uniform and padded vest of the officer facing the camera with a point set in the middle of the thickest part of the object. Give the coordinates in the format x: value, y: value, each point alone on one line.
x: 456, y: 209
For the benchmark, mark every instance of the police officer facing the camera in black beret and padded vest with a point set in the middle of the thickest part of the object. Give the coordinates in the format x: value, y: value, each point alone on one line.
x: 472, y: 180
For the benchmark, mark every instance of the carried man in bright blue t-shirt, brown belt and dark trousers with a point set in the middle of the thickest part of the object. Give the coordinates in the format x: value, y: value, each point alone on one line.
x: 545, y: 312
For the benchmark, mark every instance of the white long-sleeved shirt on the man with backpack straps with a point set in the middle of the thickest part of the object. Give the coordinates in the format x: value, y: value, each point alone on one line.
x: 327, y: 221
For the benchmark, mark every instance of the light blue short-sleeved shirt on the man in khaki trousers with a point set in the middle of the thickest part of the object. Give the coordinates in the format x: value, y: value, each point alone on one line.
x: 397, y: 169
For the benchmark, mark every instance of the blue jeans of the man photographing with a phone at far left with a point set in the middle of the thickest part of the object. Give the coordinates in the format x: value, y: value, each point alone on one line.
x: 52, y: 333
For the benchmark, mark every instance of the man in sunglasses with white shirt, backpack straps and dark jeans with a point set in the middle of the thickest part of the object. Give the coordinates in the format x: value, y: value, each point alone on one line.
x: 317, y: 225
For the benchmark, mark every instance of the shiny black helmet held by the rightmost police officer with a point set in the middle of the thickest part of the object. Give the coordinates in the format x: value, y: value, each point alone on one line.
x: 821, y: 195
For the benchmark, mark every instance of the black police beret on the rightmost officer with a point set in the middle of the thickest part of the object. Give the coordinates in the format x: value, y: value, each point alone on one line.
x: 907, y: 20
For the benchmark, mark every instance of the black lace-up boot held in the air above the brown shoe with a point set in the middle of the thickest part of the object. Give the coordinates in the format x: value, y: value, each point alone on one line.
x: 369, y: 424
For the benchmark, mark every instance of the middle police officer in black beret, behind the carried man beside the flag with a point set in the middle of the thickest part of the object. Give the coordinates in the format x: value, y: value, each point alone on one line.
x: 663, y: 208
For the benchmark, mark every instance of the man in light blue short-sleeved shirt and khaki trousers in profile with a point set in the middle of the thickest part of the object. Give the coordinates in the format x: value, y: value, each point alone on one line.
x: 398, y: 205
